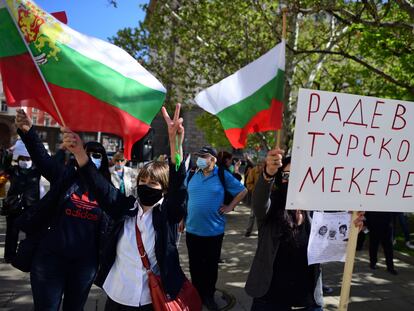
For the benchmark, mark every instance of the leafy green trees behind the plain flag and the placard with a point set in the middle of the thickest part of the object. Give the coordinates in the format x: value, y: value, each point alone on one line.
x: 363, y: 47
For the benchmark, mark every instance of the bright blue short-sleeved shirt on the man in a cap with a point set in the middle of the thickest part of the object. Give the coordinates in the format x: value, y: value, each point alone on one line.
x: 205, y: 197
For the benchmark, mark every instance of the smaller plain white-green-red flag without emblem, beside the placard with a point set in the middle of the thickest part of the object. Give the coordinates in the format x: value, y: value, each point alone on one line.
x: 251, y: 99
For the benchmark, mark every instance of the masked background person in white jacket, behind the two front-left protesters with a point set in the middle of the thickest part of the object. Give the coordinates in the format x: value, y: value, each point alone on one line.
x: 123, y: 177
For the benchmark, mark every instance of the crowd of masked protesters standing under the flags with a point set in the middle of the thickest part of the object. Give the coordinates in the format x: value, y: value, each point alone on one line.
x: 85, y: 227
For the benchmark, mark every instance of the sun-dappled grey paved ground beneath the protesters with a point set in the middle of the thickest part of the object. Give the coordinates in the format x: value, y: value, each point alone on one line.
x: 378, y: 291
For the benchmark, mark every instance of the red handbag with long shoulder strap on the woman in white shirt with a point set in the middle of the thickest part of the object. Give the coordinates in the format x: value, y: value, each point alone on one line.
x: 187, y: 299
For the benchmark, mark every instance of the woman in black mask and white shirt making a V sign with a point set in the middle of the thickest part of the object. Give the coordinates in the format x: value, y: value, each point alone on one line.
x: 155, y: 213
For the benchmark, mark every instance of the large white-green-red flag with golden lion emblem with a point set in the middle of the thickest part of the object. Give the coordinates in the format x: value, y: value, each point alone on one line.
x: 95, y: 85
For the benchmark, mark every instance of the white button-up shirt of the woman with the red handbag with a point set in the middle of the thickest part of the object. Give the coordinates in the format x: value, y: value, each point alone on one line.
x: 127, y: 281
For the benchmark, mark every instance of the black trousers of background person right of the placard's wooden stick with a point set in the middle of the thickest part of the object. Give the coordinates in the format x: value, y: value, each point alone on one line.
x: 385, y: 238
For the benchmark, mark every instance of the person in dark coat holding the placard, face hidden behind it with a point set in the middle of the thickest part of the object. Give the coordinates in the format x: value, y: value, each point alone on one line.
x: 280, y: 278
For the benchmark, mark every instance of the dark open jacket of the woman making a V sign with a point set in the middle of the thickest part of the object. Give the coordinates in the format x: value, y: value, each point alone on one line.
x: 165, y: 218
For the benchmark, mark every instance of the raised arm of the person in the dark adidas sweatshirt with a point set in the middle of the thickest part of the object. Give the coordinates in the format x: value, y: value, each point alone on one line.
x: 49, y: 167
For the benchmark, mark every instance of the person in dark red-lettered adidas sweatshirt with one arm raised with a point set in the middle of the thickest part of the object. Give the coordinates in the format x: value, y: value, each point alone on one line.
x: 70, y: 225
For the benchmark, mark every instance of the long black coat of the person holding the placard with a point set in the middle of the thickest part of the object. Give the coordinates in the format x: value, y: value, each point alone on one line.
x: 275, y: 261
